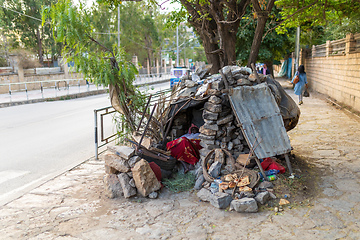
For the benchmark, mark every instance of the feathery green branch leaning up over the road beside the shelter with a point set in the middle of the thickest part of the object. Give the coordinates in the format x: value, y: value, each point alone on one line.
x: 99, y: 63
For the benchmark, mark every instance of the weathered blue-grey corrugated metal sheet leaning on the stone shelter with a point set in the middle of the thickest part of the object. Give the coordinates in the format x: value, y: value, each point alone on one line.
x: 261, y: 120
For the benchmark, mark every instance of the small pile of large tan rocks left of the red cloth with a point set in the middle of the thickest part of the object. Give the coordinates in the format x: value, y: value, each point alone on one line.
x: 127, y: 174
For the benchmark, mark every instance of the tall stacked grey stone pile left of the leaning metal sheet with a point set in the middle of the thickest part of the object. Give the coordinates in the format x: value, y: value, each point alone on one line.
x: 221, y: 131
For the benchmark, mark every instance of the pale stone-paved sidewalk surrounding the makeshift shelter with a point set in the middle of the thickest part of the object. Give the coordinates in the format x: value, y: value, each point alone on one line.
x: 73, y: 205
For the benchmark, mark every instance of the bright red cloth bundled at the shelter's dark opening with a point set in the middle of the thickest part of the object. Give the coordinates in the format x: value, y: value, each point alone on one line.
x: 184, y: 149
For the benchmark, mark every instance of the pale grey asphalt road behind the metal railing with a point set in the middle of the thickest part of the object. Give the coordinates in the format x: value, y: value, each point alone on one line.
x: 42, y: 140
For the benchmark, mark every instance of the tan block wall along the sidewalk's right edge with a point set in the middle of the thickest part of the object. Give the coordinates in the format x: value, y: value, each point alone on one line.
x: 334, y: 69
